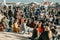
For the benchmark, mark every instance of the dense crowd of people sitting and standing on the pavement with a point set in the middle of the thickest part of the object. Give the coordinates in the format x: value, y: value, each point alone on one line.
x: 23, y: 20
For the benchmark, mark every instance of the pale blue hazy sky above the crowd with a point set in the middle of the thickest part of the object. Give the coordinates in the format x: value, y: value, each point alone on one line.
x: 28, y: 1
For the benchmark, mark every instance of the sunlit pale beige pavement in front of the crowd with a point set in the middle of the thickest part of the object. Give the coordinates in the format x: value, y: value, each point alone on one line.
x: 12, y: 36
